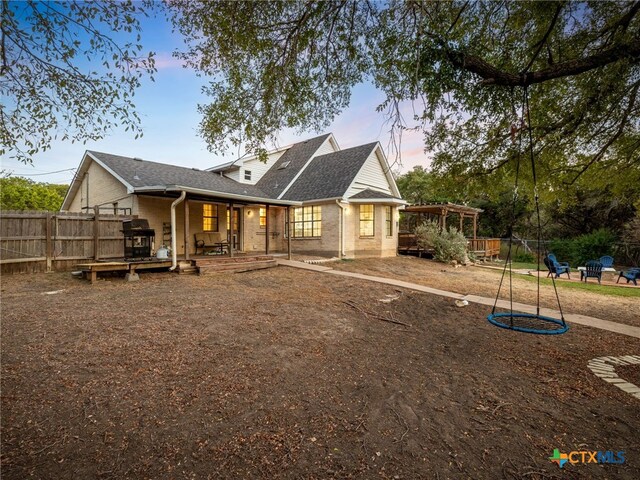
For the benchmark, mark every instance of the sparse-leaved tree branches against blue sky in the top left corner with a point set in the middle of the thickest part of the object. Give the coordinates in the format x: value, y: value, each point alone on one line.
x: 68, y: 70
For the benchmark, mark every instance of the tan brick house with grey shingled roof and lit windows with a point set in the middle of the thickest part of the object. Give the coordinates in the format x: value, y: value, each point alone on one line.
x: 334, y: 202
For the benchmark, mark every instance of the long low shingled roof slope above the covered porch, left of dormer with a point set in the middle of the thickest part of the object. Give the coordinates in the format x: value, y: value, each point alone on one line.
x: 142, y: 173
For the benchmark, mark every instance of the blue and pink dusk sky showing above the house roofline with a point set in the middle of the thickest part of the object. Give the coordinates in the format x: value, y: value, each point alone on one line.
x: 168, y: 112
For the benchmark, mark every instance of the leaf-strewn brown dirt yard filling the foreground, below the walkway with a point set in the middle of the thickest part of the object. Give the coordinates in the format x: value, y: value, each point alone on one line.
x: 285, y: 373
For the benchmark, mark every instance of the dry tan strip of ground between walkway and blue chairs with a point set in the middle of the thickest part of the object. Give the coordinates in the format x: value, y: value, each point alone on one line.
x: 474, y: 280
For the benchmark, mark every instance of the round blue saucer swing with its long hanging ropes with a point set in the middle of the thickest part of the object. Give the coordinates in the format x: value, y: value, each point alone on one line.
x: 521, y: 321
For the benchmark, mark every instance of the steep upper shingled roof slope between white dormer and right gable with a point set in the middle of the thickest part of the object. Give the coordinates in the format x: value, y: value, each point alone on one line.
x: 281, y: 174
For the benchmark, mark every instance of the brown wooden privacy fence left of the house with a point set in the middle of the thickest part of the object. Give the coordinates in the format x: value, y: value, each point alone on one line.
x: 55, y: 241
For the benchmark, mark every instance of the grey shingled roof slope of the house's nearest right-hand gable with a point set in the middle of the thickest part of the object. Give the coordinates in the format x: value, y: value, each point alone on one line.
x: 330, y: 175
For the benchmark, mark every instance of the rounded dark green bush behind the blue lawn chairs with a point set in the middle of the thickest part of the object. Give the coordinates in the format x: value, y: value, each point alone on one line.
x: 580, y: 250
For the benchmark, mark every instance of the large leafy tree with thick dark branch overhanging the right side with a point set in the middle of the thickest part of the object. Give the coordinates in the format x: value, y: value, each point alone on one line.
x: 463, y: 64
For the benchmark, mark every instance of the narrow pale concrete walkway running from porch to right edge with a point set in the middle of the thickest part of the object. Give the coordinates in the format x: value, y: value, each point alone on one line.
x: 620, y: 328
